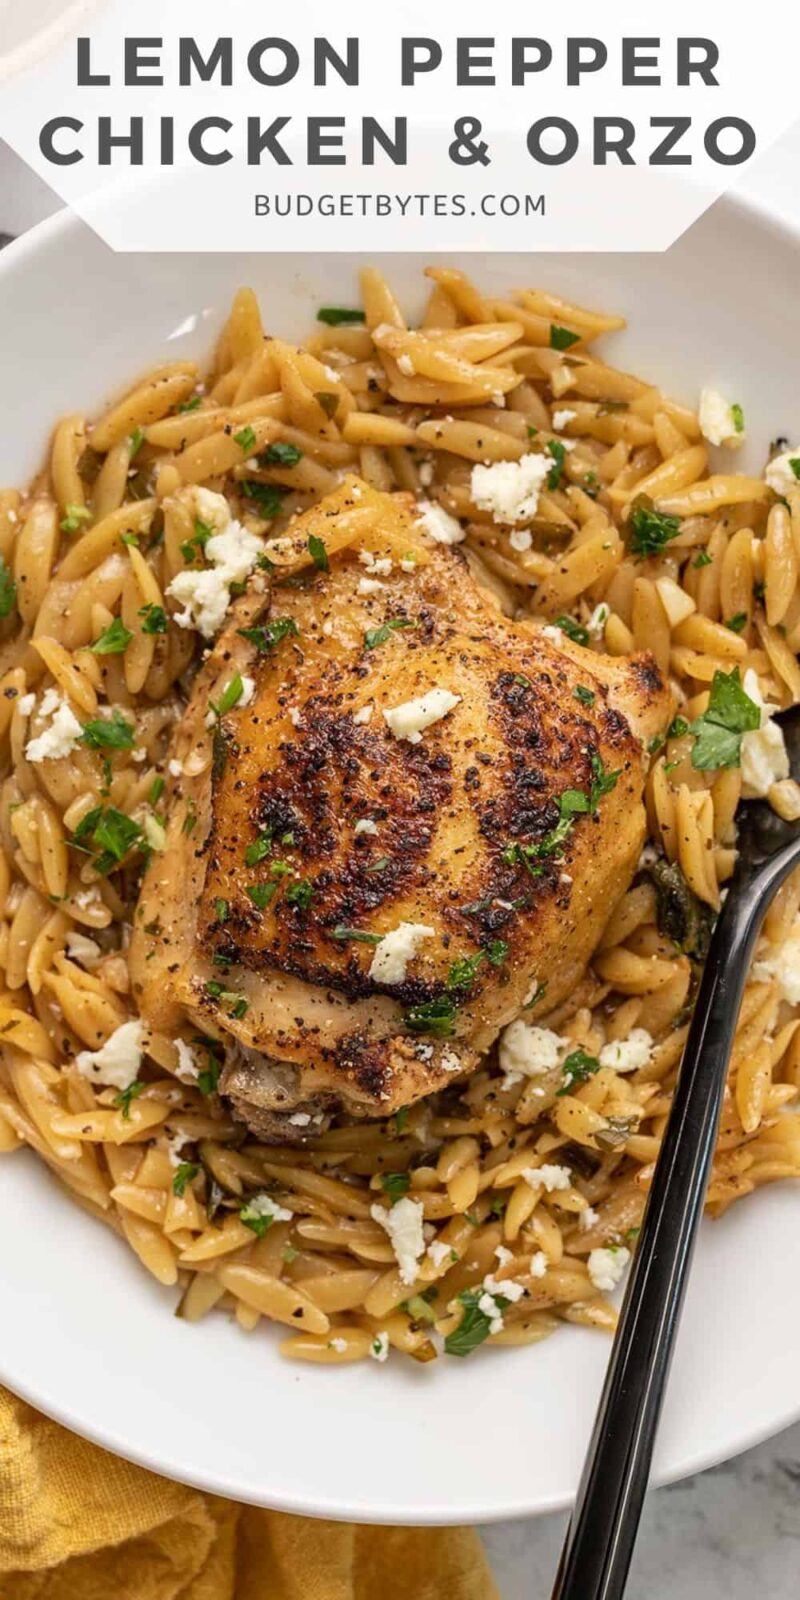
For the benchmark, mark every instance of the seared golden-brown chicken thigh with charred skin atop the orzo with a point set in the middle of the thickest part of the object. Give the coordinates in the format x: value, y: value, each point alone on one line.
x: 414, y: 823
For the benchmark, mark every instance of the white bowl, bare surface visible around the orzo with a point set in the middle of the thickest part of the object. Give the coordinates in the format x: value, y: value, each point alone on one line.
x: 87, y: 1335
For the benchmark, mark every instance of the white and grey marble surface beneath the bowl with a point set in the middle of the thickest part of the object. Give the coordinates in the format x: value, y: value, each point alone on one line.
x: 732, y: 1534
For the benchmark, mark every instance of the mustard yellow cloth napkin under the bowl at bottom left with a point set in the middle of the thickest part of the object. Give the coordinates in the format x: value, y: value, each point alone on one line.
x: 78, y: 1524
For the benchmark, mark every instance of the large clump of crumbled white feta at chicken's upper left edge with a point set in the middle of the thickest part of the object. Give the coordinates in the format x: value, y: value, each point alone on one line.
x: 233, y: 553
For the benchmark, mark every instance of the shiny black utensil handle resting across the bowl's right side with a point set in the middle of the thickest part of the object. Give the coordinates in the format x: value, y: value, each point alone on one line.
x: 601, y: 1540
